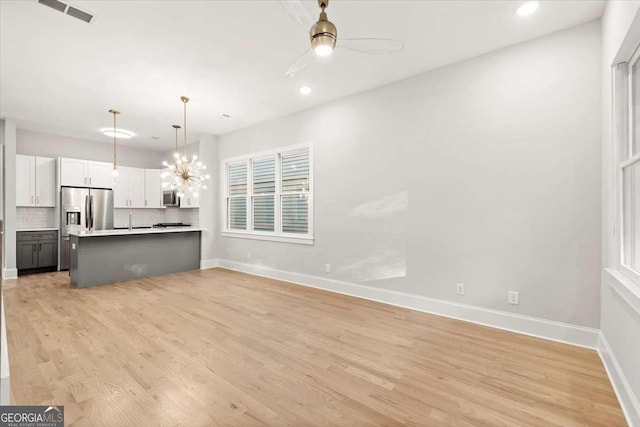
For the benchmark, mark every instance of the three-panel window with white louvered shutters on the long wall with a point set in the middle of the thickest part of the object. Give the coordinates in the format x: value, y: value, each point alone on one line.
x: 269, y: 195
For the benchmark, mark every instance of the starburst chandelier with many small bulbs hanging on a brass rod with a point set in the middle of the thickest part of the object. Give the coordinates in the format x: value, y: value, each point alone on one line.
x: 184, y: 176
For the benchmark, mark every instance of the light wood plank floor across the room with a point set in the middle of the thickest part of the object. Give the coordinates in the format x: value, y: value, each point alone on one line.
x: 216, y: 347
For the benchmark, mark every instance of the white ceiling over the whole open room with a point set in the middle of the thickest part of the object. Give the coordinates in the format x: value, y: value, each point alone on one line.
x: 61, y: 75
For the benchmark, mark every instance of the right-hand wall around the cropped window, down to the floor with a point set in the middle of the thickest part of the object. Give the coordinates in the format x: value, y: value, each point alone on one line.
x: 620, y: 309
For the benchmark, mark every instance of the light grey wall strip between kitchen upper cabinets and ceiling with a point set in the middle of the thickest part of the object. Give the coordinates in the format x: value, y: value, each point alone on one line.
x: 48, y: 145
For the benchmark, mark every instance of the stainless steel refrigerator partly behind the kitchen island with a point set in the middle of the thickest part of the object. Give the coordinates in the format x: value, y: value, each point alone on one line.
x: 83, y: 209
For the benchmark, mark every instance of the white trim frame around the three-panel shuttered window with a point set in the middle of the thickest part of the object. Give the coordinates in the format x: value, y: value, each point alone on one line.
x: 277, y: 235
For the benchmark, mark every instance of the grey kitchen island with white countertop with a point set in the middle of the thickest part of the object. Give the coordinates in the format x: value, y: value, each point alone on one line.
x: 107, y: 256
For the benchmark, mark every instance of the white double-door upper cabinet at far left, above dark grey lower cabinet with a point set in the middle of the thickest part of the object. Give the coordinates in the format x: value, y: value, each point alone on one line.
x: 35, y: 181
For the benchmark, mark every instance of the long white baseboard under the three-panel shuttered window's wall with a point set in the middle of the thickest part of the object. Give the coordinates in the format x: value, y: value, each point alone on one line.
x: 555, y: 331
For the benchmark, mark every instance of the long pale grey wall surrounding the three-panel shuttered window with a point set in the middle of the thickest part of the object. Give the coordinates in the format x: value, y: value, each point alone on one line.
x: 485, y: 172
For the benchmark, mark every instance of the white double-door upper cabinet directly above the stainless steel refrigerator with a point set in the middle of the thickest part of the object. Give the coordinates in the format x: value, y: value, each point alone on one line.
x: 85, y: 173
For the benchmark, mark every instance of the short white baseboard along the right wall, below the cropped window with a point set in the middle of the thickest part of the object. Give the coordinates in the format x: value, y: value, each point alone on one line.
x: 624, y: 392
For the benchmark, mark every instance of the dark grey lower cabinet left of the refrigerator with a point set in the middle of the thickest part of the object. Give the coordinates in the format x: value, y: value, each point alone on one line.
x: 36, y: 250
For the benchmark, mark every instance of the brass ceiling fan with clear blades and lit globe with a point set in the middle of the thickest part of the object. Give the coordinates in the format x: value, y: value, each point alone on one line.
x: 324, y: 37
